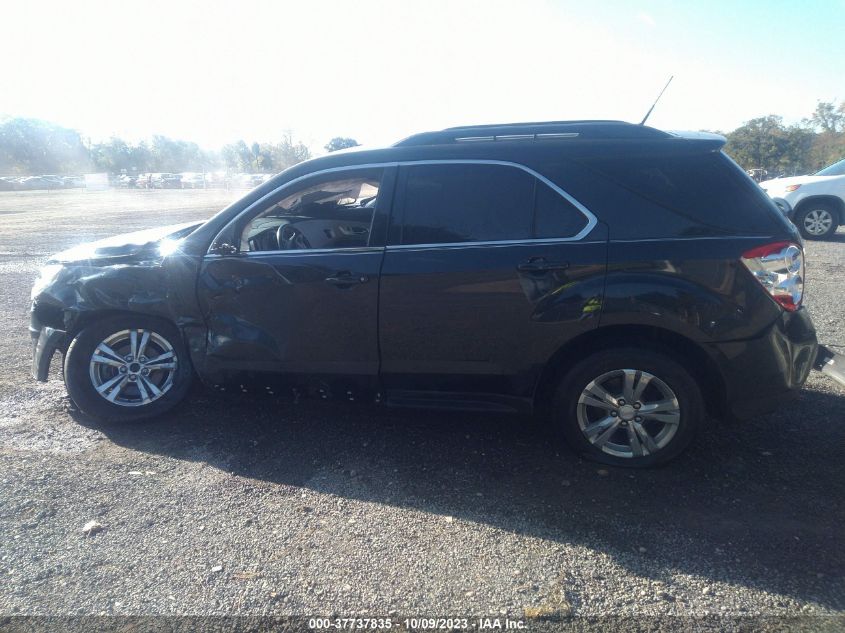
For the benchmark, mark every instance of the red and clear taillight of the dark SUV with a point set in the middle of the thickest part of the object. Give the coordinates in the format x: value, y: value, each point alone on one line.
x: 779, y: 267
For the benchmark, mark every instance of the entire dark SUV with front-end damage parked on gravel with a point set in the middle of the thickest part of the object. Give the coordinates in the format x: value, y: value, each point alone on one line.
x: 626, y: 284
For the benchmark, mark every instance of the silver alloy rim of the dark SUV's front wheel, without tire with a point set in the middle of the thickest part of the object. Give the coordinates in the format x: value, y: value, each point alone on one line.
x: 132, y: 368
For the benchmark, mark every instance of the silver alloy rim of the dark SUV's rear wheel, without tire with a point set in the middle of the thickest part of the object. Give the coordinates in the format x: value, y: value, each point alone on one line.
x: 628, y: 413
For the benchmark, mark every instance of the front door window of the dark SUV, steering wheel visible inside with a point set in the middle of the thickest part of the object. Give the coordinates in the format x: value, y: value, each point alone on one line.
x: 335, y: 212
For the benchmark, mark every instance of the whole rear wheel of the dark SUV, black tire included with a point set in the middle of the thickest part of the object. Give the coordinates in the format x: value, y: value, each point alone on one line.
x: 670, y: 427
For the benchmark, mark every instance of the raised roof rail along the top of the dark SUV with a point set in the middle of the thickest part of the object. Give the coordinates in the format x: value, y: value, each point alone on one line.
x: 540, y: 131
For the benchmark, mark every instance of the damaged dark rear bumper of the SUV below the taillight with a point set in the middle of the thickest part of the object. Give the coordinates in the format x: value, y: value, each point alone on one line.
x: 764, y: 373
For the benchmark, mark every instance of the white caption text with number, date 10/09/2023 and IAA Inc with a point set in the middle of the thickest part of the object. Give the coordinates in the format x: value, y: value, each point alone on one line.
x: 417, y: 624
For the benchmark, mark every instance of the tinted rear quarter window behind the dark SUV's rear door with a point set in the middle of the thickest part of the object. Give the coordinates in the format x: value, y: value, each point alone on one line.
x: 707, y: 189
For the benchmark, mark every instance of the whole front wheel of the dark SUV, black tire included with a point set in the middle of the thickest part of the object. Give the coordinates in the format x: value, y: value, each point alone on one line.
x: 132, y: 397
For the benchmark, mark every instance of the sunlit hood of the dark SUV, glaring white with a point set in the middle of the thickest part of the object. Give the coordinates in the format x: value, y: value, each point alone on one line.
x: 138, y: 246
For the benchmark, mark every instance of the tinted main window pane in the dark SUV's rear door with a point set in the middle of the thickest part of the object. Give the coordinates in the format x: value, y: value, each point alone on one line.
x: 467, y: 203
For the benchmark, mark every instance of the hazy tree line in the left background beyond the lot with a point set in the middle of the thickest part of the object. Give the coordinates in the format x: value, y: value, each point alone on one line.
x: 33, y: 147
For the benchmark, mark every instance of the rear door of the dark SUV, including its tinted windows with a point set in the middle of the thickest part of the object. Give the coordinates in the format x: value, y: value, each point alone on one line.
x: 489, y: 268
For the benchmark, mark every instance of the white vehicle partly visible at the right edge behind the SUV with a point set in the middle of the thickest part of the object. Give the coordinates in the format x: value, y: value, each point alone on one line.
x: 816, y: 203
